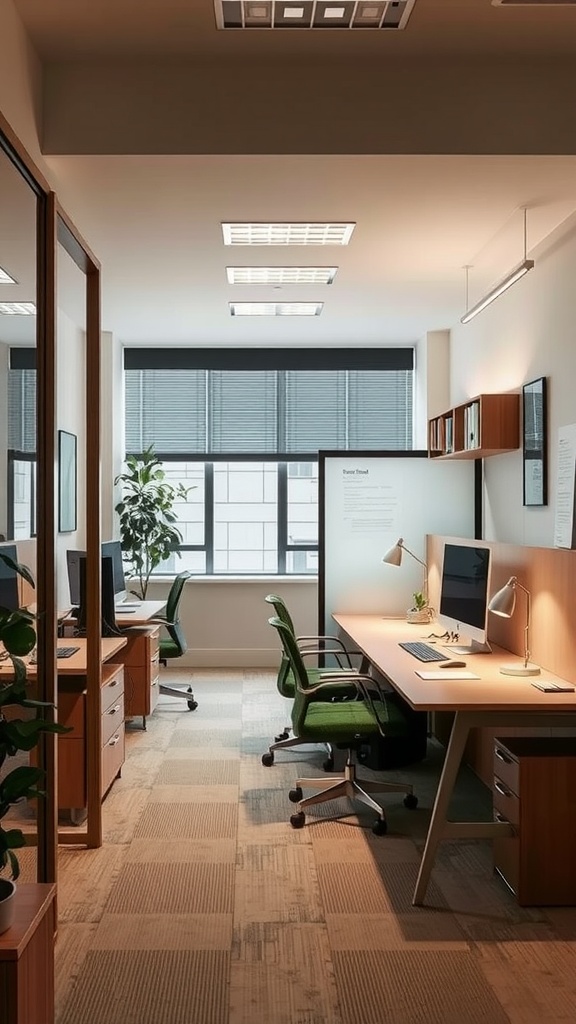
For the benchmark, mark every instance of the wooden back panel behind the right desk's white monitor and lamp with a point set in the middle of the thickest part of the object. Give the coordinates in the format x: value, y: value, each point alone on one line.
x: 549, y: 574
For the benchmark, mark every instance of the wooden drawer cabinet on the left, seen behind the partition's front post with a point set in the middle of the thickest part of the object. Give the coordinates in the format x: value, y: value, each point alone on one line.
x: 72, y: 746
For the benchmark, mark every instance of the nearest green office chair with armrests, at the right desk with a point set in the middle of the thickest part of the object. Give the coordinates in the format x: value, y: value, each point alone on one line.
x: 348, y: 724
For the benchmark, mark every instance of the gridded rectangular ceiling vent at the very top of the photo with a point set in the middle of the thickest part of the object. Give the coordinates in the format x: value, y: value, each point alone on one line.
x: 313, y: 14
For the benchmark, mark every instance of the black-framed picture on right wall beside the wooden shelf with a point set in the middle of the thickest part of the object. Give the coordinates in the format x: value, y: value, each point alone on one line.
x: 536, y: 442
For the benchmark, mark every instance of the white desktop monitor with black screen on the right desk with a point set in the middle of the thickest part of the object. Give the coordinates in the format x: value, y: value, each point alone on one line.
x: 465, y: 595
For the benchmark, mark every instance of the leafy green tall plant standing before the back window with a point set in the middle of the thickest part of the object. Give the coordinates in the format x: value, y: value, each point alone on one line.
x: 148, y: 530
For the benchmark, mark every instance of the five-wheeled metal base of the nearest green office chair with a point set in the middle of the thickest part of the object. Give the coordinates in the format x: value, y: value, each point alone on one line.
x: 348, y: 786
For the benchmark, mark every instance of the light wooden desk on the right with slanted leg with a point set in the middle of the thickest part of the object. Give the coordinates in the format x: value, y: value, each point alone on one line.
x: 493, y: 700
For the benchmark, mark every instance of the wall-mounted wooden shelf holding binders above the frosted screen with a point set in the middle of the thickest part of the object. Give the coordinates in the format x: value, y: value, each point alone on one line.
x: 486, y: 425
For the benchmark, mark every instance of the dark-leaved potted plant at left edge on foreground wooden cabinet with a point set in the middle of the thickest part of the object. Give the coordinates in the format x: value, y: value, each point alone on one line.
x: 18, y: 638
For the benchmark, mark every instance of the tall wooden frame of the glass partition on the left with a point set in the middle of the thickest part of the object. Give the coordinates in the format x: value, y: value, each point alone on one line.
x: 54, y: 229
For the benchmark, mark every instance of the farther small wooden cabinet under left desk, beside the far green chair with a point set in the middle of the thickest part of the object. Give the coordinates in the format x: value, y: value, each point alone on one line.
x: 142, y: 671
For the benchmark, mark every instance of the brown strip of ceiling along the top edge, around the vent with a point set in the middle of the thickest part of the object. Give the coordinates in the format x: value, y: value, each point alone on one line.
x: 62, y: 30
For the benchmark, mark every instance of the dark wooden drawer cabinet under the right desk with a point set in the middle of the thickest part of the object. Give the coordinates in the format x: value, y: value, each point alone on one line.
x: 536, y: 791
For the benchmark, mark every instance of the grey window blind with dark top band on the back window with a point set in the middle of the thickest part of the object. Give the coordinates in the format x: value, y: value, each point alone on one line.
x: 305, y: 405
